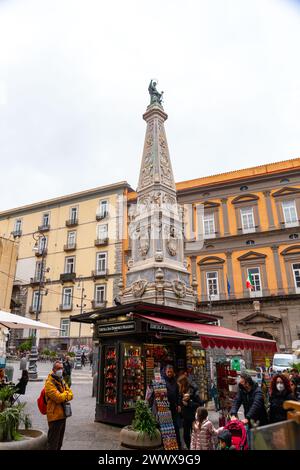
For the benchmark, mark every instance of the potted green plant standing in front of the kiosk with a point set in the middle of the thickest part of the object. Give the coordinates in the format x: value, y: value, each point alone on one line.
x: 143, y: 432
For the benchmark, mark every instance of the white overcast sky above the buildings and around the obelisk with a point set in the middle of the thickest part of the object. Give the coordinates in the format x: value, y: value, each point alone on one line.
x: 74, y: 78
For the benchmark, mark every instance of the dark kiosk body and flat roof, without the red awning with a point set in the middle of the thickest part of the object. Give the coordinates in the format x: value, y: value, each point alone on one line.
x: 130, y: 348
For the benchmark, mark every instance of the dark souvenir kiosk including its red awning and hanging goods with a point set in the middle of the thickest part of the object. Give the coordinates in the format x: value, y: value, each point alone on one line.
x: 136, y: 338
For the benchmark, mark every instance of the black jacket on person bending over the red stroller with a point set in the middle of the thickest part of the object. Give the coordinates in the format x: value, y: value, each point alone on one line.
x: 253, y: 402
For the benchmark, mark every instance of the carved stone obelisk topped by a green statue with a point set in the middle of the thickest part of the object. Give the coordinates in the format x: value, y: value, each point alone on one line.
x: 157, y: 270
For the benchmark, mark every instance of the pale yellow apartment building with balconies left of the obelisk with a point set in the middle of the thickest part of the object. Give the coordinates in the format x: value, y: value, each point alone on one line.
x: 69, y: 259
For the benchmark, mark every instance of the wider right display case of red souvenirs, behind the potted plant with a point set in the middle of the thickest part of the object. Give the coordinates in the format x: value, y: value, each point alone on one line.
x: 133, y: 380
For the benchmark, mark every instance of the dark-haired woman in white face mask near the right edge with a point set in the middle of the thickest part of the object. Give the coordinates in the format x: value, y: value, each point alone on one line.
x: 280, y: 391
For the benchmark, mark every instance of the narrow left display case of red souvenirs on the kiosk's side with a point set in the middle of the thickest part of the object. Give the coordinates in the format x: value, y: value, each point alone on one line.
x: 110, y: 375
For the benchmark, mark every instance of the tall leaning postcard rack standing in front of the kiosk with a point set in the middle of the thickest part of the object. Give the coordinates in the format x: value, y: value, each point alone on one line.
x: 164, y: 415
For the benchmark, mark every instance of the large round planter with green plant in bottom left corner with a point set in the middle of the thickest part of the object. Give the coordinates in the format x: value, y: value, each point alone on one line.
x: 12, y: 415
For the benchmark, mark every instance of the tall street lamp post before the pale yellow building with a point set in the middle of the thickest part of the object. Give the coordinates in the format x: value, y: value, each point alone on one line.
x: 40, y: 240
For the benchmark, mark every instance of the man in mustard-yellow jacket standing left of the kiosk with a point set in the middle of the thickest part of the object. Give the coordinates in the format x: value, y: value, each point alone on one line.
x: 57, y: 392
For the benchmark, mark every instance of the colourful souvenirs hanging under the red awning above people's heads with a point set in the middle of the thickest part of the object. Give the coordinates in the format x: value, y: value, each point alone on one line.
x: 196, y: 358
